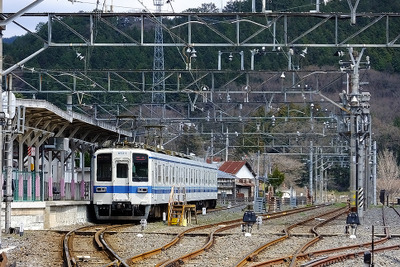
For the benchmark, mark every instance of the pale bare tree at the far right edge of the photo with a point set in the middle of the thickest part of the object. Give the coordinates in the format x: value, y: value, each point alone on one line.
x: 388, y: 173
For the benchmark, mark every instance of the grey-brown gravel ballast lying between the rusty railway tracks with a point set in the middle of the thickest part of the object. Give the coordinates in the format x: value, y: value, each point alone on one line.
x: 44, y: 248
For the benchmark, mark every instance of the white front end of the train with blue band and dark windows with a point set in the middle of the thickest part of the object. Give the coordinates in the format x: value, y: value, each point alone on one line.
x: 121, y: 180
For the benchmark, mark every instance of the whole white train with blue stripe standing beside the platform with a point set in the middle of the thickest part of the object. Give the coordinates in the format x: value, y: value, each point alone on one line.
x: 135, y: 183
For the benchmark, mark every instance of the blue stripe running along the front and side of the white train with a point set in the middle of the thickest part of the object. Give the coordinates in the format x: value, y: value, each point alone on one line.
x: 154, y: 190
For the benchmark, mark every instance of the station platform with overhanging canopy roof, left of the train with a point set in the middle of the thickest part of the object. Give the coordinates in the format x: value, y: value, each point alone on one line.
x: 50, y: 186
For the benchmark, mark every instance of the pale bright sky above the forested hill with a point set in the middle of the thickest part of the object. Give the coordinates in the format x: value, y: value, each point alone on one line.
x: 12, y: 6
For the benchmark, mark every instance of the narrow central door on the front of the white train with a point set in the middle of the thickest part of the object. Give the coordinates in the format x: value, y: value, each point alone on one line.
x: 121, y: 192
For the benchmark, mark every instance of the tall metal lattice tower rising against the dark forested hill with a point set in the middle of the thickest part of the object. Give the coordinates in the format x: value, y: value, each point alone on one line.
x: 158, y: 95
